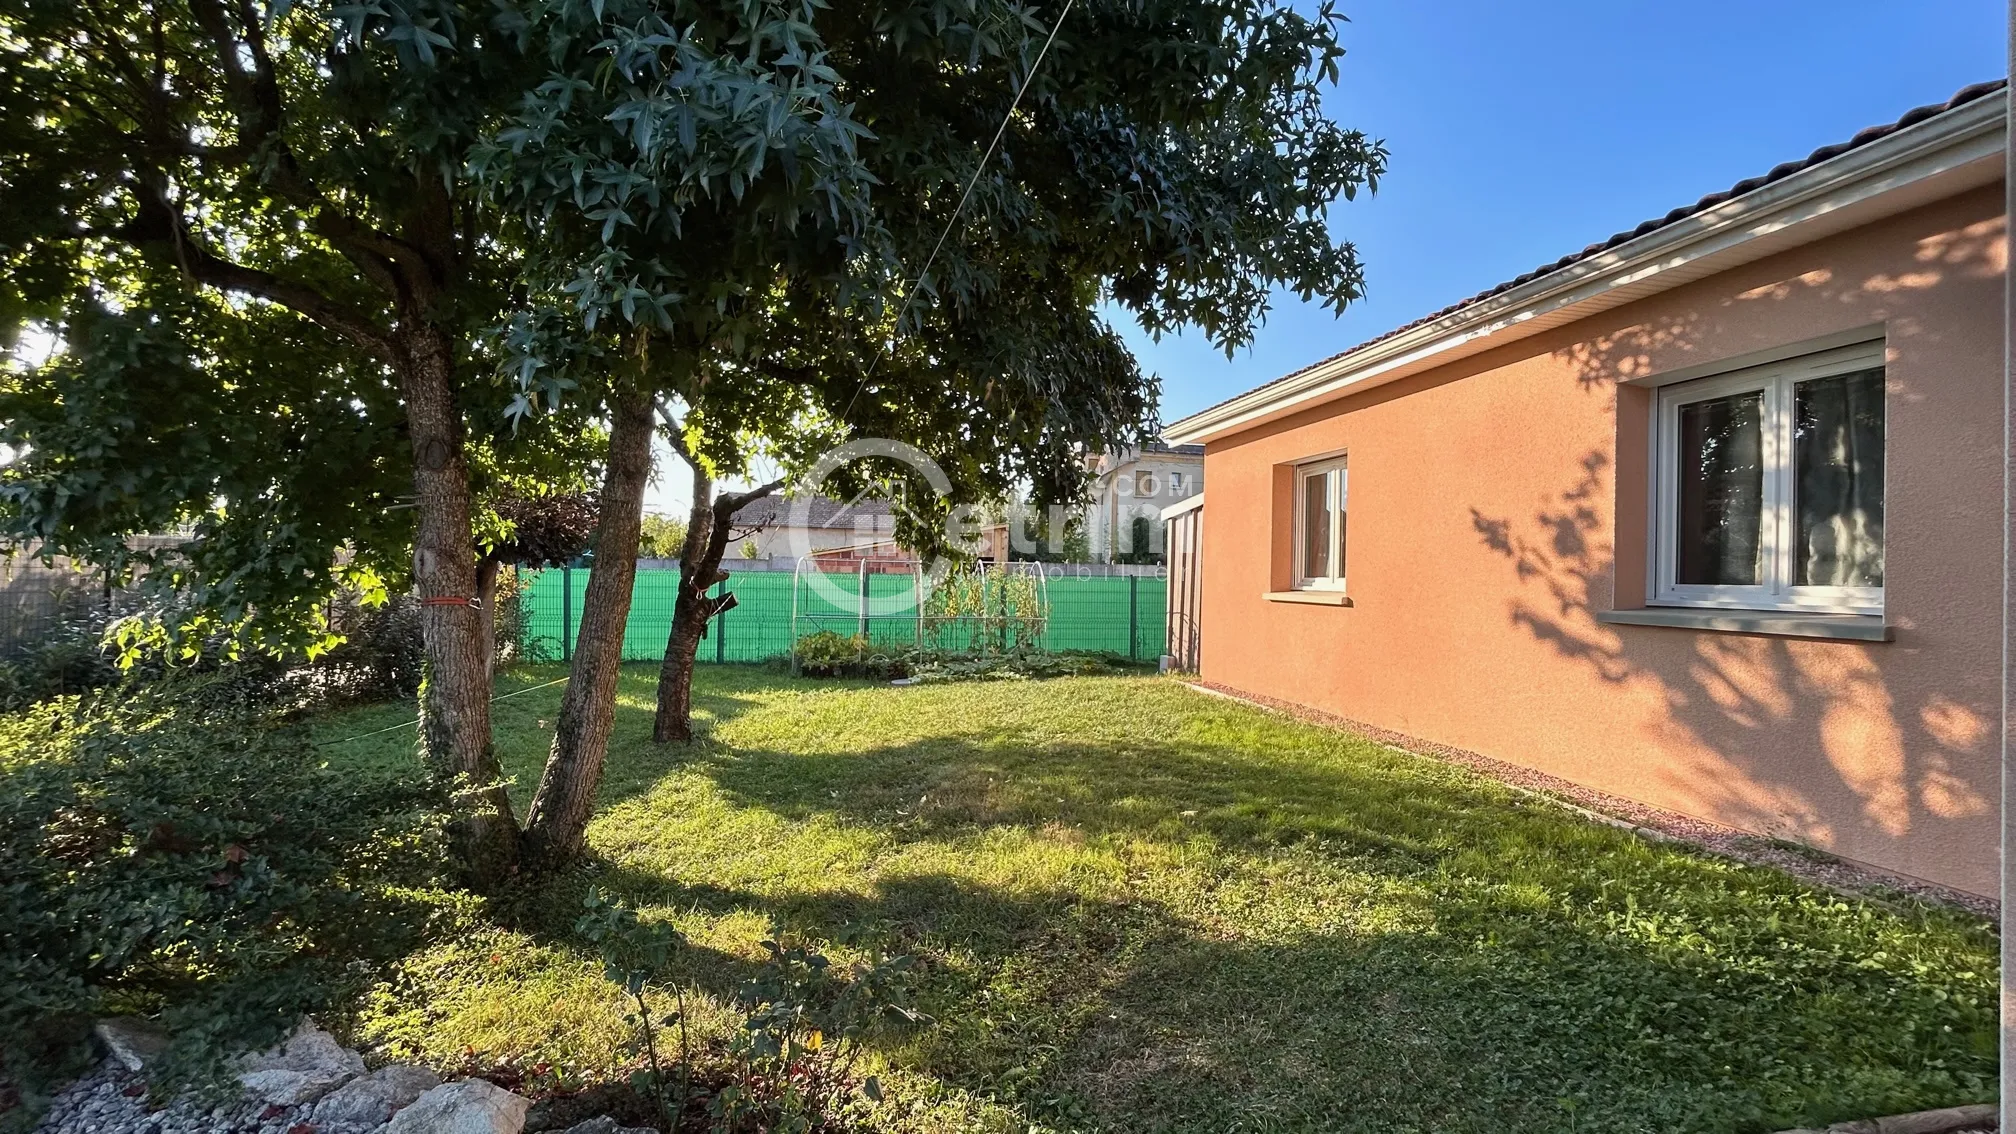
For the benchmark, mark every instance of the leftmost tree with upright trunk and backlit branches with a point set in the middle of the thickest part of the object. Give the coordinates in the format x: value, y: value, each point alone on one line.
x: 285, y: 156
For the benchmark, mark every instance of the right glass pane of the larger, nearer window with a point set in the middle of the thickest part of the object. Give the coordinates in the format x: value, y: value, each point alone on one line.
x: 1838, y: 463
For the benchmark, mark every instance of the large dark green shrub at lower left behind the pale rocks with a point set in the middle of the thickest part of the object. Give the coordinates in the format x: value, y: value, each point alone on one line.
x: 170, y: 855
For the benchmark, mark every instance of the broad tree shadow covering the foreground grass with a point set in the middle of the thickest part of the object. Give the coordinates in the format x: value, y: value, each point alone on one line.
x: 1487, y: 1014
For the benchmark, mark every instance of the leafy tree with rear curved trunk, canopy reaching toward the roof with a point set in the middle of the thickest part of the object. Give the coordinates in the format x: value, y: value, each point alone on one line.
x: 1170, y: 158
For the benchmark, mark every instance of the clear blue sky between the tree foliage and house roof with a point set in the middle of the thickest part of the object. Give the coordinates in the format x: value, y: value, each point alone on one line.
x: 1525, y: 132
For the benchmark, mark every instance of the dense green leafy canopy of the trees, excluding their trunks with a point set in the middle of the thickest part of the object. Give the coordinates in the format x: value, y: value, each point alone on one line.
x: 241, y: 215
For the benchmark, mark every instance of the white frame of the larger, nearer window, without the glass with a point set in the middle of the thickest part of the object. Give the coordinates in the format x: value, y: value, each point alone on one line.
x: 1777, y: 538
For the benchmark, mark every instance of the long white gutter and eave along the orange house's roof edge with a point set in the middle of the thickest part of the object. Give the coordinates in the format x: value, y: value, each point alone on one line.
x: 1946, y: 154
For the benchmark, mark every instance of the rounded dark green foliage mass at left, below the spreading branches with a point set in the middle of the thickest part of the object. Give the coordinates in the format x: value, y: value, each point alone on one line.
x: 263, y: 437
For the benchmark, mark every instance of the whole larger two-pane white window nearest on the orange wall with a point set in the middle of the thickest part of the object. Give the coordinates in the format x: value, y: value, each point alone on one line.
x: 1769, y: 487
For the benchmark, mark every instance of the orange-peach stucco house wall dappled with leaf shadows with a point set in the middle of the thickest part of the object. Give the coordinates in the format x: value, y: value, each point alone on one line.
x: 1499, y: 501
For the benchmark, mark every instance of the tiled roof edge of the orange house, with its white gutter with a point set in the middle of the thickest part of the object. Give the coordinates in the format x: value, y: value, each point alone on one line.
x: 1721, y: 209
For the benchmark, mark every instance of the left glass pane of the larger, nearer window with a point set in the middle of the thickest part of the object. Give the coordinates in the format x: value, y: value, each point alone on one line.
x: 1721, y: 491
